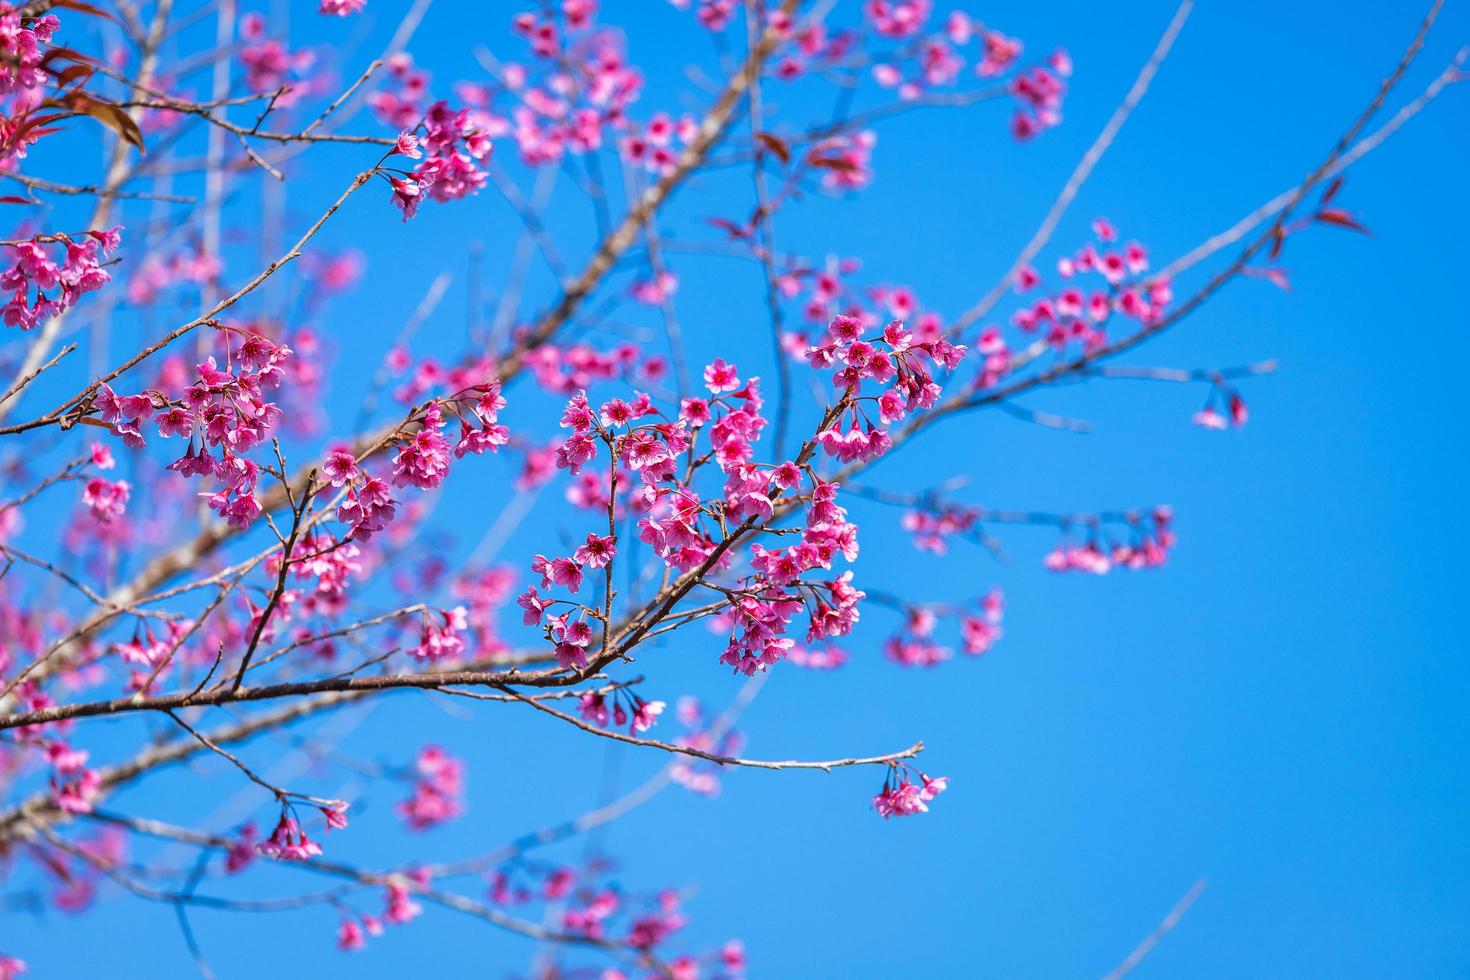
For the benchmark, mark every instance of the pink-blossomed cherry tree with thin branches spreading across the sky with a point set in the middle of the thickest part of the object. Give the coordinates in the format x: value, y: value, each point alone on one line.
x: 192, y: 547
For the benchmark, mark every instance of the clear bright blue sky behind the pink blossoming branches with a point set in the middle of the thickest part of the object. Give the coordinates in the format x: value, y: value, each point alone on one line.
x: 1283, y: 710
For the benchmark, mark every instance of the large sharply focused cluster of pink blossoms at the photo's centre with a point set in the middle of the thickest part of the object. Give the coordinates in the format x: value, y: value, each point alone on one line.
x: 781, y: 586
